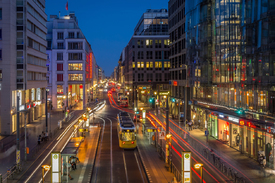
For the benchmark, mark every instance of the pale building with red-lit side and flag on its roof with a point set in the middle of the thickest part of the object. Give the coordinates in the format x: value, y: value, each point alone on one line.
x: 72, y: 64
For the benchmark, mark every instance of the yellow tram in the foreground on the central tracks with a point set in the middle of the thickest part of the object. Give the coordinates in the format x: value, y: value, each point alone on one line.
x: 126, y: 131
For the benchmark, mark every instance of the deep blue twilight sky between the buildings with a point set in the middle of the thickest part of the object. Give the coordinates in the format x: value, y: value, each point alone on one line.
x: 107, y: 24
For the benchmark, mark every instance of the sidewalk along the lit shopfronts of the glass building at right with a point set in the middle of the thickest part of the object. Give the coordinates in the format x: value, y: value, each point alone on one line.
x: 240, y: 162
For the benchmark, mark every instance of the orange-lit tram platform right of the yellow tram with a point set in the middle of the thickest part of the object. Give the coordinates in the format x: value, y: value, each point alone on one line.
x: 155, y: 167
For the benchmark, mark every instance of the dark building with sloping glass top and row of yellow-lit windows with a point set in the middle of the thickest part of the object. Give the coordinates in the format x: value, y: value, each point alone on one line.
x: 146, y: 65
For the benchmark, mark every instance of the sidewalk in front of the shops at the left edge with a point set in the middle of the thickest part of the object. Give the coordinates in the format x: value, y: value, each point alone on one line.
x: 8, y: 144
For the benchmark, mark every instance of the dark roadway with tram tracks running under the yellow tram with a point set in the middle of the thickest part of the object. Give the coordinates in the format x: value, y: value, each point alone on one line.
x: 114, y: 164
